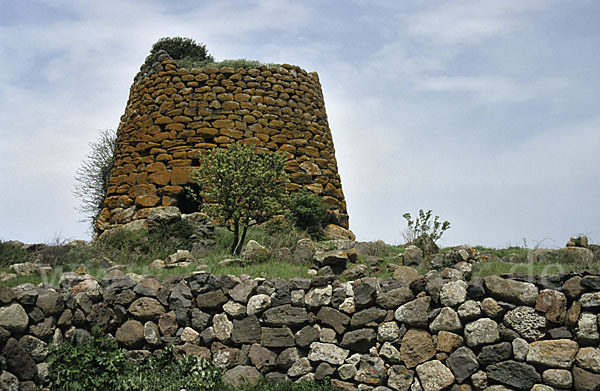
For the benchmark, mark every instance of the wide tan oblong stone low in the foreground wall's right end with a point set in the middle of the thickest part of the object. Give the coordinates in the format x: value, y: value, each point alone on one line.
x: 557, y: 353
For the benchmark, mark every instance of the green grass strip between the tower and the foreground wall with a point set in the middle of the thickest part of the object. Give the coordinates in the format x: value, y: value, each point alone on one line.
x: 135, y: 251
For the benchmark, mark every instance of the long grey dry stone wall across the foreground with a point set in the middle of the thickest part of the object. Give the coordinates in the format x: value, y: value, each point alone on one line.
x: 436, y: 332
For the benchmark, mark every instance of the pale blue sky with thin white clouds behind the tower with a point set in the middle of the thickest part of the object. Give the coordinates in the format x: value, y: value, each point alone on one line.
x: 485, y: 112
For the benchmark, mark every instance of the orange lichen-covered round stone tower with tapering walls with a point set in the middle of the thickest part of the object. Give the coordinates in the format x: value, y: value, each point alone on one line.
x: 175, y: 114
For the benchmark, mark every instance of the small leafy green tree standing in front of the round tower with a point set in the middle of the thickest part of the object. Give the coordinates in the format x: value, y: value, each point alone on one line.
x: 240, y: 187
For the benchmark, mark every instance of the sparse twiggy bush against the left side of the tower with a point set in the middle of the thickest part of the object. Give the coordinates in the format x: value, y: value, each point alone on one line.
x: 93, y: 175
